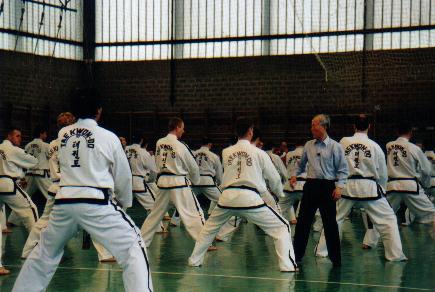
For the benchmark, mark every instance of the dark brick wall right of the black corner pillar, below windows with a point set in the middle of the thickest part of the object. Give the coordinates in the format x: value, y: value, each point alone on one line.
x: 281, y: 93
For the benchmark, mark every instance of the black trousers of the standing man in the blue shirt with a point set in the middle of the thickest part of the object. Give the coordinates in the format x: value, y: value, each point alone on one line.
x: 318, y: 195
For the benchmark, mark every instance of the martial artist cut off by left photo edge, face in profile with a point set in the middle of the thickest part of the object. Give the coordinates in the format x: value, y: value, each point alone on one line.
x: 12, y: 162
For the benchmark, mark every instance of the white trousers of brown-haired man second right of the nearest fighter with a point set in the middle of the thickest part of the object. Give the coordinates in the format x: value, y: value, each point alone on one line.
x: 187, y: 205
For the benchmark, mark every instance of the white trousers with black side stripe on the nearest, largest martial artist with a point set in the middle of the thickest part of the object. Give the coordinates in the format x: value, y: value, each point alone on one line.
x: 108, y: 224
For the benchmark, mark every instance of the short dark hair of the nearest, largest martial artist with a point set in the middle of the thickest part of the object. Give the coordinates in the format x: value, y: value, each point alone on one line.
x: 86, y: 103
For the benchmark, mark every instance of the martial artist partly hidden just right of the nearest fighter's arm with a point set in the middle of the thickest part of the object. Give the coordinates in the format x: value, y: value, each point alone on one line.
x: 144, y: 171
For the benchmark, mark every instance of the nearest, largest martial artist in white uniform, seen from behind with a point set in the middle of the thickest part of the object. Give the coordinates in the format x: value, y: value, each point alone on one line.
x: 93, y: 166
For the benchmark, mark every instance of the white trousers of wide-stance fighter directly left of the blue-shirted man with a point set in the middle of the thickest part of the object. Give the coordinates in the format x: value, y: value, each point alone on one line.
x: 265, y: 217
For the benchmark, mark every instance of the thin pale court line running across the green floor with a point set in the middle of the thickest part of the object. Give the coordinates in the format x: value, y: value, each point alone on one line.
x: 247, y: 277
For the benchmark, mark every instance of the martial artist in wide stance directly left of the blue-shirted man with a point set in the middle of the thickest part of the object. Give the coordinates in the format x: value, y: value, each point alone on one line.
x: 245, y: 170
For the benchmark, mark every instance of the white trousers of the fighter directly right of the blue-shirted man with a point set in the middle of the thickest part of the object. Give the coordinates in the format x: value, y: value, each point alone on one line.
x: 384, y: 220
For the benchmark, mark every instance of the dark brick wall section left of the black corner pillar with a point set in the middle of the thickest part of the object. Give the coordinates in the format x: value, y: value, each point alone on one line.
x: 34, y: 89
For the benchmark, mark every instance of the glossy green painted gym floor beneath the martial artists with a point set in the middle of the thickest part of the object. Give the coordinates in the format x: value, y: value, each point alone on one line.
x: 246, y: 263
